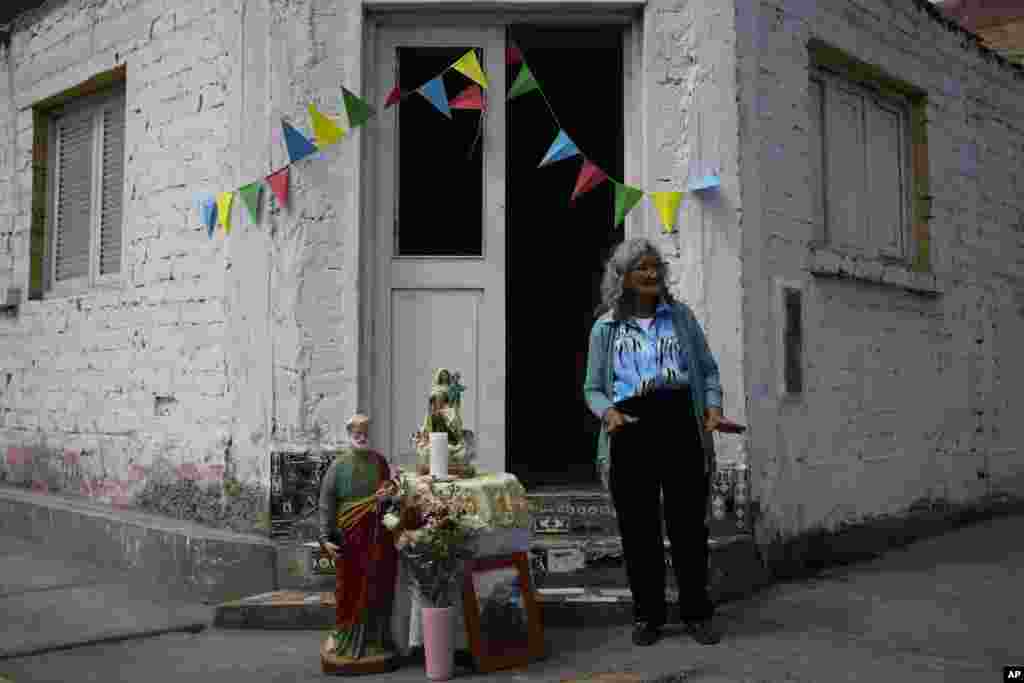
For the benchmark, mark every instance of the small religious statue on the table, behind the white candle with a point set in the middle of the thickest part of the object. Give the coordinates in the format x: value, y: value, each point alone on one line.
x: 445, y: 415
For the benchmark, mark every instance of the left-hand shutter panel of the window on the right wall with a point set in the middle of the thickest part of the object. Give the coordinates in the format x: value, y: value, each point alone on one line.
x: 845, y: 163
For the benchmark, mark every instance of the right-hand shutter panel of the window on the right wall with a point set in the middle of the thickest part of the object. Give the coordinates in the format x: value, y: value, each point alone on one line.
x: 885, y: 180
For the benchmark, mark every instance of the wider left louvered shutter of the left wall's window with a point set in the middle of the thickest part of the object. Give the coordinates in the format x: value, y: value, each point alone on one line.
x: 75, y: 136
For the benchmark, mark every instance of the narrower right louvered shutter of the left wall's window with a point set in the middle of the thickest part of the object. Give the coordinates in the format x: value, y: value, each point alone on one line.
x: 112, y: 188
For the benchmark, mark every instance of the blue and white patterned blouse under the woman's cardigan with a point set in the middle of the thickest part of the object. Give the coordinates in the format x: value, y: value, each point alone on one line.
x: 649, y: 358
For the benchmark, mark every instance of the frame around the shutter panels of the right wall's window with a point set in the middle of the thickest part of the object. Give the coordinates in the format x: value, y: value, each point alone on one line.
x: 830, y: 80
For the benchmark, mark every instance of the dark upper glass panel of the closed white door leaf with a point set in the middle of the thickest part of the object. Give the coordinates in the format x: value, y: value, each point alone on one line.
x: 440, y: 205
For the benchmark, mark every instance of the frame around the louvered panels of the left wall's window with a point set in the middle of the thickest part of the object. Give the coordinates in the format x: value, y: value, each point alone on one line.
x: 98, y: 103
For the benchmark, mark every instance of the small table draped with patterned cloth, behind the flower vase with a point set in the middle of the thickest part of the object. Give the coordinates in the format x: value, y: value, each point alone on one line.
x: 500, y: 500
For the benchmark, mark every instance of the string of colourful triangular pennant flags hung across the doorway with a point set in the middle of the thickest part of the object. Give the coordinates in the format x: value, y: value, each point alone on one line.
x: 217, y: 209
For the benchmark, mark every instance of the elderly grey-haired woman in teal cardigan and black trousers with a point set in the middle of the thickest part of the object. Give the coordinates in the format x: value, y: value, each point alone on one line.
x: 654, y: 382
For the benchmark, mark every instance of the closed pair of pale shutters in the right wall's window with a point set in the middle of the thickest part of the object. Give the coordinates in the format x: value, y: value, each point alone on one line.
x: 860, y: 157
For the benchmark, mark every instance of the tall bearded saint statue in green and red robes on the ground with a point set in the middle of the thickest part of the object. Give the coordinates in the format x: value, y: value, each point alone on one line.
x: 354, y: 493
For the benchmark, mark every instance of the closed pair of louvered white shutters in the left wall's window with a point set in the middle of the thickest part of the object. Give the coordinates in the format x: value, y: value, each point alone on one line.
x: 88, y: 139
